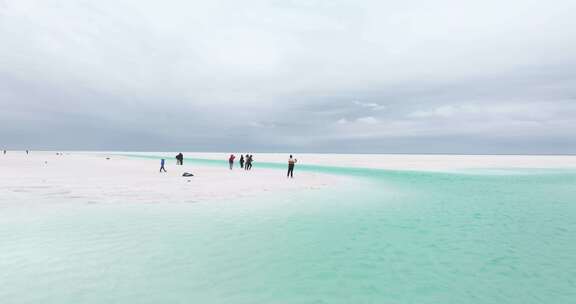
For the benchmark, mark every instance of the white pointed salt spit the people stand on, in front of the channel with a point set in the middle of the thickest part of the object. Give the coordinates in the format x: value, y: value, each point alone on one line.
x: 92, y: 178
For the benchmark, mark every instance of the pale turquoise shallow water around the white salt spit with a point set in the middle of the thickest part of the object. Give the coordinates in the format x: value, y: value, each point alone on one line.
x: 503, y: 236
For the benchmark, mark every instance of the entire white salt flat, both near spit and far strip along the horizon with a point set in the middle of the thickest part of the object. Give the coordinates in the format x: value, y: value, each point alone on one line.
x: 90, y: 177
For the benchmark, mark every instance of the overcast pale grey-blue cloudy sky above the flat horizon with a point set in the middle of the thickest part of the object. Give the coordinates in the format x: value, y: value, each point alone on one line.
x: 443, y: 76
